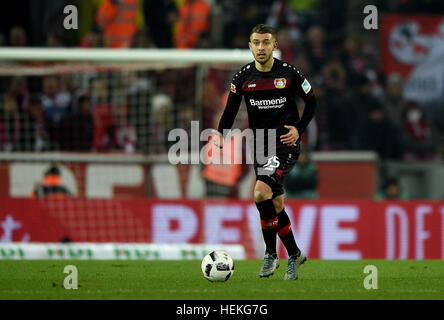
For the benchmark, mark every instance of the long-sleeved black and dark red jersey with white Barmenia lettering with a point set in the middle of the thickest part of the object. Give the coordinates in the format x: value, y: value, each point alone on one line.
x: 270, y: 98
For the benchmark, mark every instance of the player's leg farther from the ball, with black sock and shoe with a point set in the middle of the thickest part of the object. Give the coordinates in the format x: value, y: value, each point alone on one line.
x: 296, y: 256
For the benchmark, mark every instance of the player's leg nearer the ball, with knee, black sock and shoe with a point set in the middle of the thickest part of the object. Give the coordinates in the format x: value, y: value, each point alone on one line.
x: 264, y: 203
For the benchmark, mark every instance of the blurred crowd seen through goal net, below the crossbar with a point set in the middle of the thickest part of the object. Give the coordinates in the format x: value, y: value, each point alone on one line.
x: 102, y: 111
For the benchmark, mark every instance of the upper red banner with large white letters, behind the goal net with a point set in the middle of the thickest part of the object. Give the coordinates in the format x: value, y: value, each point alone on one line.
x: 101, y: 180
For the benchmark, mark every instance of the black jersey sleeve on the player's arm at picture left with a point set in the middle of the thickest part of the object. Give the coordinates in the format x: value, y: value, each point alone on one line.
x: 232, y: 106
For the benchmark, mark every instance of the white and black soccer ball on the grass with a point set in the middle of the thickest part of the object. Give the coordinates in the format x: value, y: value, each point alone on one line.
x: 217, y: 266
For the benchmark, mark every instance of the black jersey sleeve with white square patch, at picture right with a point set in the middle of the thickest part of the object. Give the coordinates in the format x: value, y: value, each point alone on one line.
x: 304, y: 91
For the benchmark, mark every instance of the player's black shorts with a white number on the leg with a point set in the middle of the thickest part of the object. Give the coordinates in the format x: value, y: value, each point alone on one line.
x: 276, y: 168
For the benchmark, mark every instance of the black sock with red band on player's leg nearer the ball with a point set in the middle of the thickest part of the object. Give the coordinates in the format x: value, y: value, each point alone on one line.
x: 269, y: 224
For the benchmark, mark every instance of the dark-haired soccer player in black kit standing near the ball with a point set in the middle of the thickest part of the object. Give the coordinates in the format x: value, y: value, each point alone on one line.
x: 270, y: 87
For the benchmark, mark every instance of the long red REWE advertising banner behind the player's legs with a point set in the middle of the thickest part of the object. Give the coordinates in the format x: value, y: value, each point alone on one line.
x: 323, y: 229
